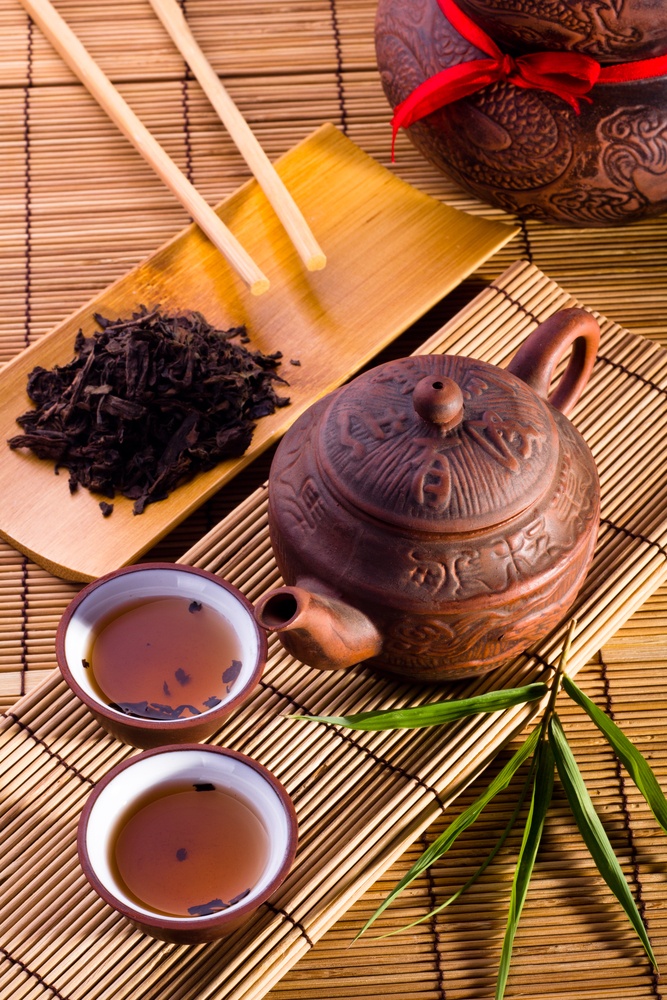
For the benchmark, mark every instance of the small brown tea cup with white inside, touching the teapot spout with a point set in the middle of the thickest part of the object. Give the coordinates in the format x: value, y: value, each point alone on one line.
x: 160, y: 653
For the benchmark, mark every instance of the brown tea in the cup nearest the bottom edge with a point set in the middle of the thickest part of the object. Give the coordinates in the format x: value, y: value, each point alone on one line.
x: 190, y: 850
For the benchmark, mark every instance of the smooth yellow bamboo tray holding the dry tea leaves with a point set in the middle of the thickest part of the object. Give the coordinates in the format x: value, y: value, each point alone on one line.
x: 393, y: 252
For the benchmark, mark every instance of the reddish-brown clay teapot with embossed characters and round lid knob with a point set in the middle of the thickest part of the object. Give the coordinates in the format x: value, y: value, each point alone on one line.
x: 436, y: 515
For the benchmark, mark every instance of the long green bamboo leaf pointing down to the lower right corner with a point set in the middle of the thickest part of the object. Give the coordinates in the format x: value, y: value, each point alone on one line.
x: 592, y: 830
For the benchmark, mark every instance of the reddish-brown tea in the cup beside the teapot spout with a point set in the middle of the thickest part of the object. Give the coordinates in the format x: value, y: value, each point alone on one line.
x: 164, y: 658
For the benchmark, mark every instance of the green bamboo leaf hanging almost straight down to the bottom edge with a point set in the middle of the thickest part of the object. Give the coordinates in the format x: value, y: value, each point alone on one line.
x: 542, y: 791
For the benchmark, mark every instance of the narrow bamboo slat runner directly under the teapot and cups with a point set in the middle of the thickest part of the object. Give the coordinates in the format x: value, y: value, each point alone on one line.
x: 361, y: 798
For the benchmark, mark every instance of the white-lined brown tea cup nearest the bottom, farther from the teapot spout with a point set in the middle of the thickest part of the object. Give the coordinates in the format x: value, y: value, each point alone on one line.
x: 186, y: 881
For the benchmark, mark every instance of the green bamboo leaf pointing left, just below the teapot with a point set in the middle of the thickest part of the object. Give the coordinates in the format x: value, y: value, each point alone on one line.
x: 435, y: 714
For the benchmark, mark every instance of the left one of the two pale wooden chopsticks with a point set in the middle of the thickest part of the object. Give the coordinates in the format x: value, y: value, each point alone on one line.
x: 68, y: 46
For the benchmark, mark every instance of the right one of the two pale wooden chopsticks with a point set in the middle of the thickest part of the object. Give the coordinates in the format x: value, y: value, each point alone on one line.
x: 279, y: 197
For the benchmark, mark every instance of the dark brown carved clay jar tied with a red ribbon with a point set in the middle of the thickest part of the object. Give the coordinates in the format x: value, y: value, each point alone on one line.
x: 526, y: 150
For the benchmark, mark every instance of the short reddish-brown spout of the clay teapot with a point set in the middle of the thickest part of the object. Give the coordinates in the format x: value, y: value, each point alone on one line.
x: 318, y: 630
